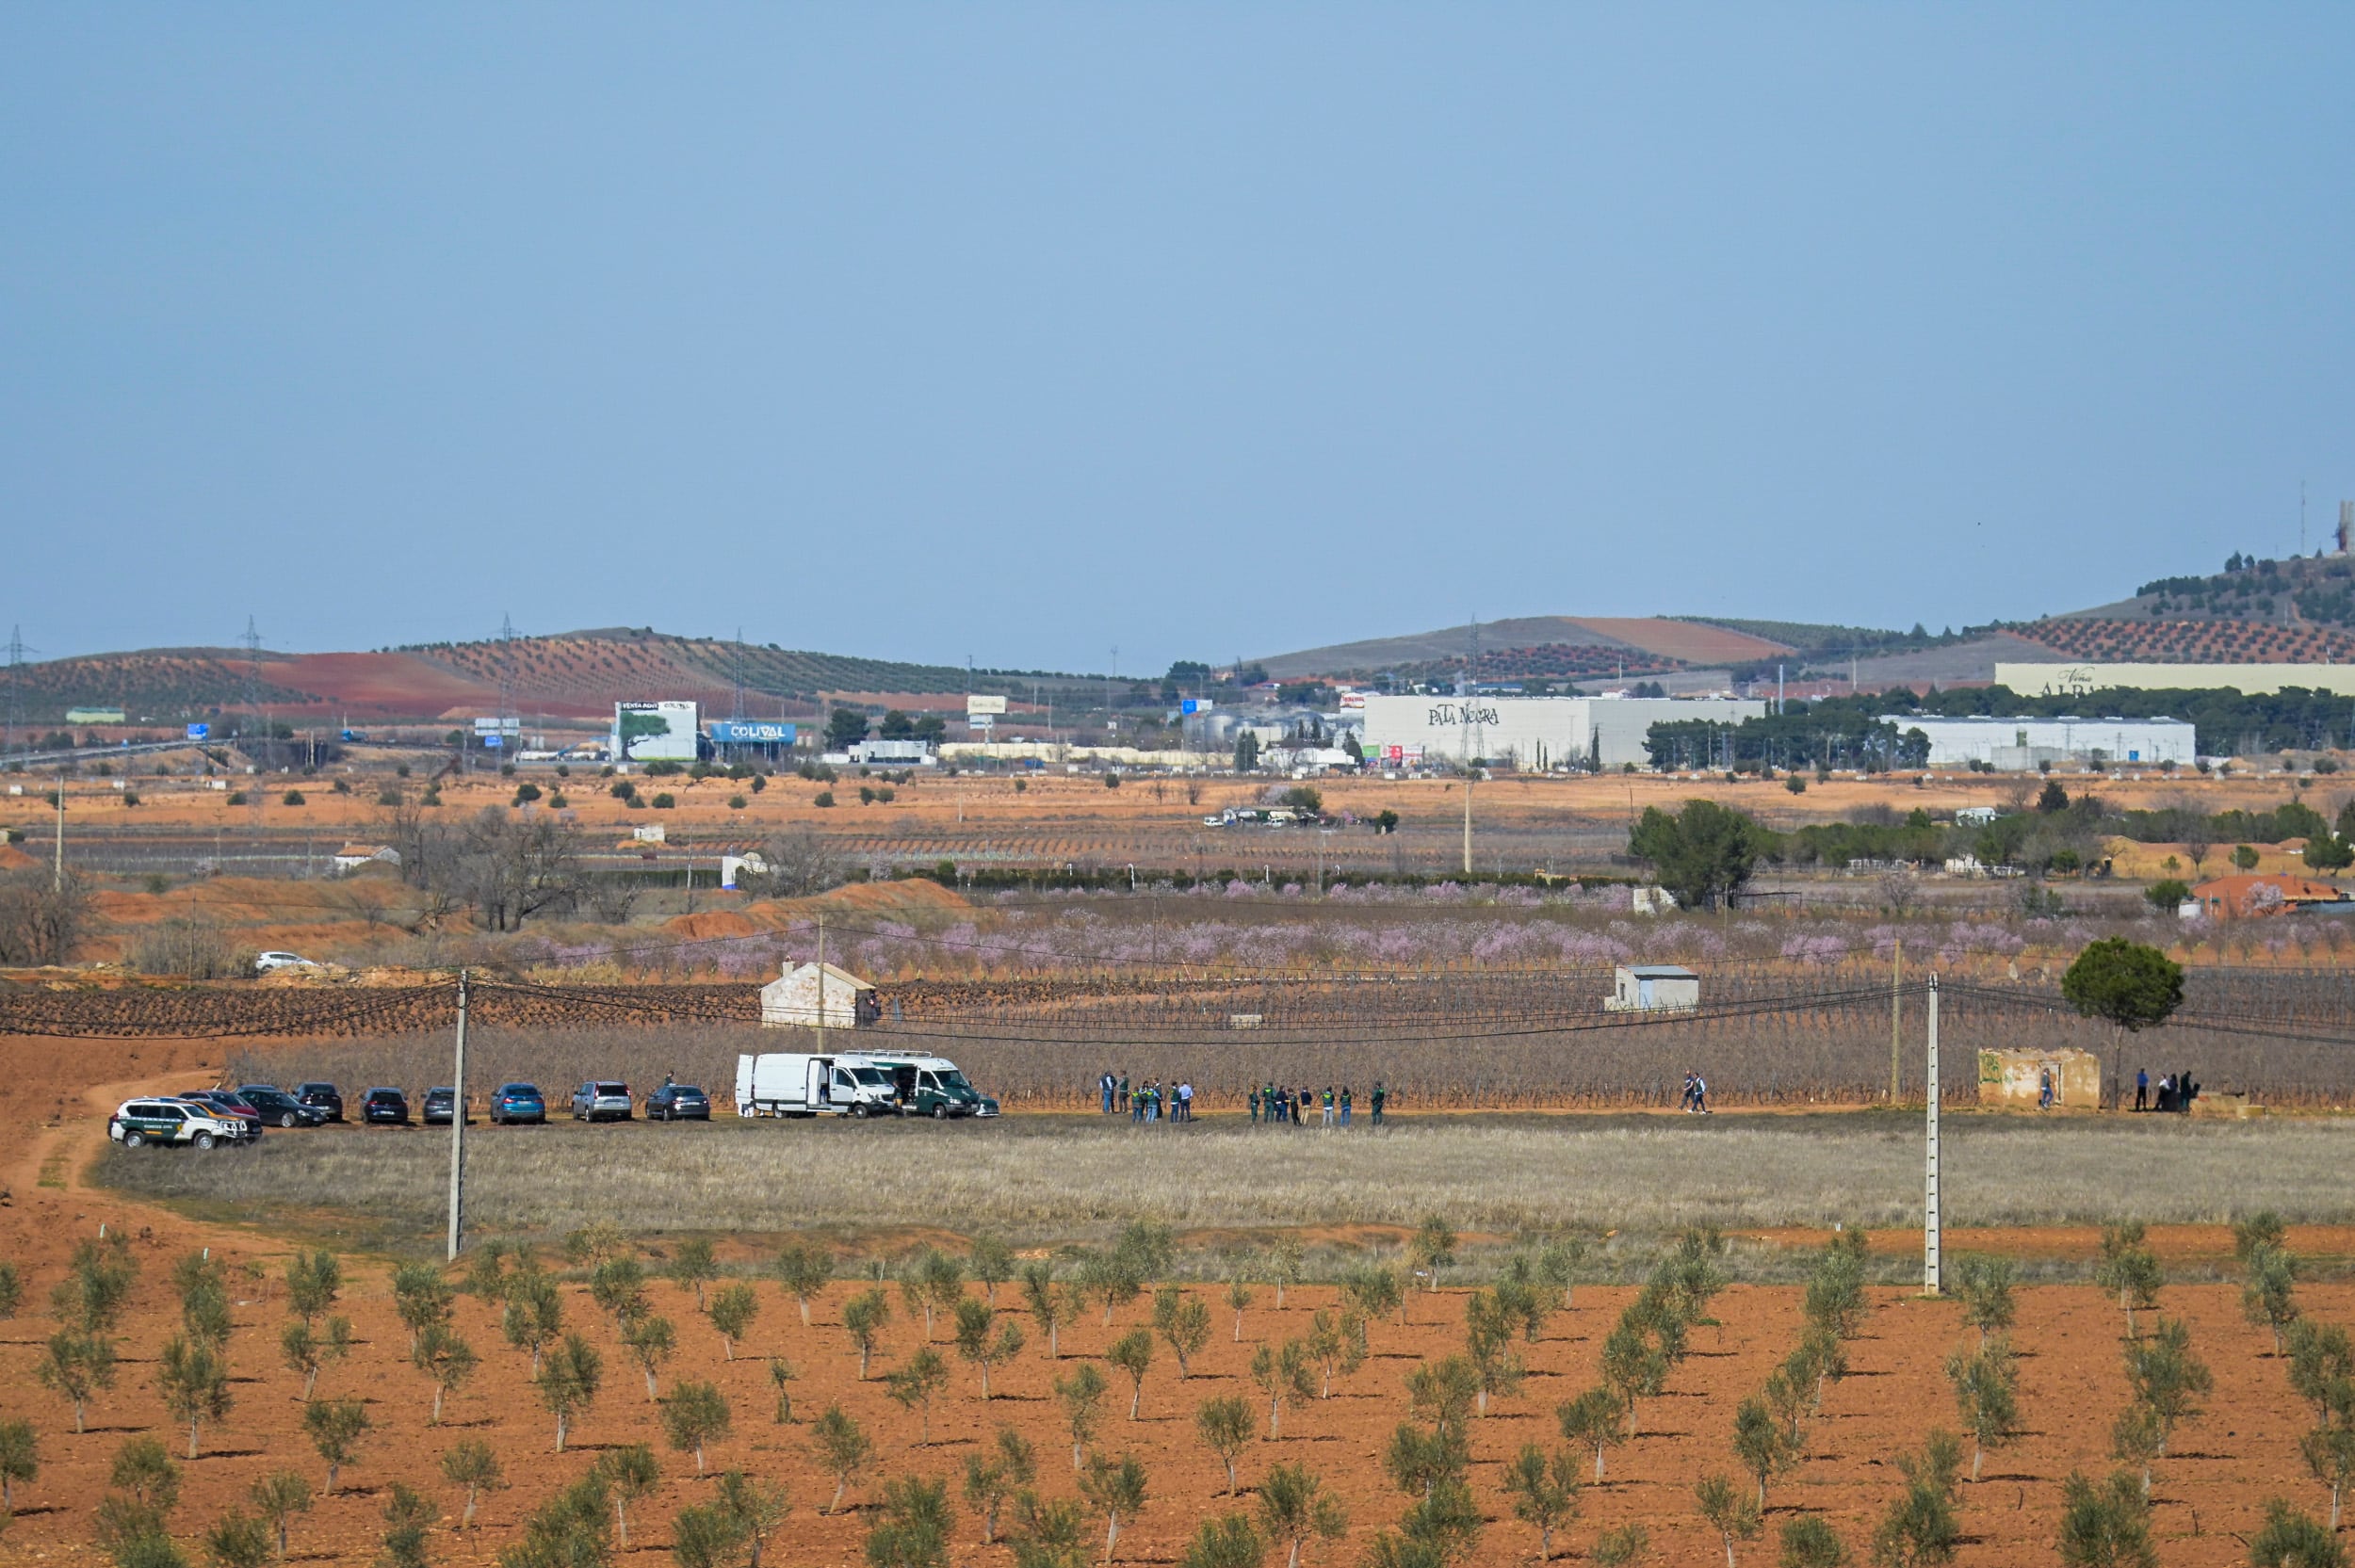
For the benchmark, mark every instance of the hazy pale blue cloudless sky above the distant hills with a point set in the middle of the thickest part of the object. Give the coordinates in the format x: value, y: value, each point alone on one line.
x: 1028, y: 331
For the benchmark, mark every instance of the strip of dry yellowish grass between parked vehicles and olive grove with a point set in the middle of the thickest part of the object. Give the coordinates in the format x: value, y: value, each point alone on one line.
x: 1054, y: 1181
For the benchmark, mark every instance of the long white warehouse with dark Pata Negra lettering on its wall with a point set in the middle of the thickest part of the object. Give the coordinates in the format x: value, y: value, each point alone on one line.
x: 1534, y: 733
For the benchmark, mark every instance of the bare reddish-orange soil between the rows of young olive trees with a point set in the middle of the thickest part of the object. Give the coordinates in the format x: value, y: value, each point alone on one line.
x: 2210, y: 1491
